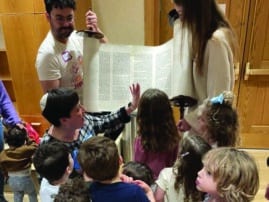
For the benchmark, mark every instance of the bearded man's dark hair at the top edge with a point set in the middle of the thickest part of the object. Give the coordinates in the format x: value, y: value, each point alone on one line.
x: 50, y: 4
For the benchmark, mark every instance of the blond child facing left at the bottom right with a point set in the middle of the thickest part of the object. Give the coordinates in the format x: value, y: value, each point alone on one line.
x: 228, y: 175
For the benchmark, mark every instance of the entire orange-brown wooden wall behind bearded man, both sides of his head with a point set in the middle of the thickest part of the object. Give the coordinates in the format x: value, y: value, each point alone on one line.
x: 24, y: 27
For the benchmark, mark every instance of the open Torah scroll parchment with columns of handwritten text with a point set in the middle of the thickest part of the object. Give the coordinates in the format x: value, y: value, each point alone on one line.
x: 109, y: 69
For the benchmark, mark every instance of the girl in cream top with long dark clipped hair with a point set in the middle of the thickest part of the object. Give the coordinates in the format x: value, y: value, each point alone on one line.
x: 178, y: 182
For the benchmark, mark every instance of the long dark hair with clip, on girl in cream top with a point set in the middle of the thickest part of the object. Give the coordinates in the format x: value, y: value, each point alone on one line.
x: 193, y: 148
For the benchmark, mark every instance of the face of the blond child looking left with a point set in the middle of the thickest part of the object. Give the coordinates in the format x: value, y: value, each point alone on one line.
x: 205, y: 182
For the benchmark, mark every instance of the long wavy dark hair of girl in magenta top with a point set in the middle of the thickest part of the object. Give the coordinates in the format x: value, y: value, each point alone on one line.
x: 156, y: 124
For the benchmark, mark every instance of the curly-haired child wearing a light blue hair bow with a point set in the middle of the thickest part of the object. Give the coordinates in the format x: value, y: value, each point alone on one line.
x: 217, y: 121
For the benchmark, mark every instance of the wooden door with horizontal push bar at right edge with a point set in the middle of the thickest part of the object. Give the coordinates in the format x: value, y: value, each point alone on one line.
x: 253, y: 95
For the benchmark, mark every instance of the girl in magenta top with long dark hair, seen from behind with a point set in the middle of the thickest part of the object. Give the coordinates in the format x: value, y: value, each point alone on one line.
x: 156, y: 144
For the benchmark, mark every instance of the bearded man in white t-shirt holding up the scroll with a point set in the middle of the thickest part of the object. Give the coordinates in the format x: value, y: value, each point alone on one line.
x: 59, y: 58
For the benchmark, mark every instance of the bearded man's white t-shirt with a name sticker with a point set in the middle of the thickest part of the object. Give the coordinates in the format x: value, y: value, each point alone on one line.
x: 56, y: 60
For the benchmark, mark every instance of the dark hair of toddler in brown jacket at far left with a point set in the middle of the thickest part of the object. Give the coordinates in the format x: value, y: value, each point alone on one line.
x: 16, y: 136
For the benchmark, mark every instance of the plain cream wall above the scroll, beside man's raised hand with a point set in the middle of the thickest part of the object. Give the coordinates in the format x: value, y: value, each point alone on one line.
x: 122, y: 21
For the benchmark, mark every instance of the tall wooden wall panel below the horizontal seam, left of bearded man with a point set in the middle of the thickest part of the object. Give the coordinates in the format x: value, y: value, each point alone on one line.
x: 21, y: 51
